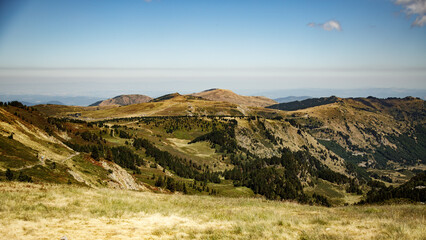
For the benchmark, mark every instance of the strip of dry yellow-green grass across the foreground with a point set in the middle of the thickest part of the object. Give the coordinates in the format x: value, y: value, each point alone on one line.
x: 34, y: 211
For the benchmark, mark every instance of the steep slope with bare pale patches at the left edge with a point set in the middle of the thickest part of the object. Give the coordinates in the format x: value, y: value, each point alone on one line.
x: 33, y: 149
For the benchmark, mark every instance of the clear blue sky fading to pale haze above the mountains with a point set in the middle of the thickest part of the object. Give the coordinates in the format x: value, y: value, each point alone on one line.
x: 106, y: 47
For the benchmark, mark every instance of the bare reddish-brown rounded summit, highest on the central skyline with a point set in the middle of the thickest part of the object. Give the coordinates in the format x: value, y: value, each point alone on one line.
x: 231, y: 97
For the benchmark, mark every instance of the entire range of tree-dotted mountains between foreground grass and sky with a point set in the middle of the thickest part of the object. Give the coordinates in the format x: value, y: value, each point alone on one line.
x: 235, y: 145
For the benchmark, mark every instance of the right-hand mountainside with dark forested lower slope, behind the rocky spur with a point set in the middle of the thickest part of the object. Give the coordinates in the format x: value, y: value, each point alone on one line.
x: 370, y: 132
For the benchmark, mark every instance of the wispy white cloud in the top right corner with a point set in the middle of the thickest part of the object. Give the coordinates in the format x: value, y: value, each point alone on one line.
x: 414, y: 8
